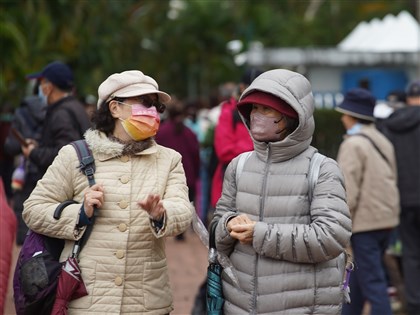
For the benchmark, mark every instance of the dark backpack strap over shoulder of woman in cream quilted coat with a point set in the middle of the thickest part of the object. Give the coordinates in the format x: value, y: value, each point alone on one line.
x: 87, y: 166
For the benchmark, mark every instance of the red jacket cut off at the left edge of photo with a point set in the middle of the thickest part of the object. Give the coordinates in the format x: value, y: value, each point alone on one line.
x: 7, y: 236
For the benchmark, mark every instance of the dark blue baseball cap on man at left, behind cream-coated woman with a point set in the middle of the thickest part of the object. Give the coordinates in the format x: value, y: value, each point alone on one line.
x: 57, y: 73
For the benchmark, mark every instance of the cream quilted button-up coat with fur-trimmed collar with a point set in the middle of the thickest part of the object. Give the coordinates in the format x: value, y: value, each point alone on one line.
x: 123, y: 263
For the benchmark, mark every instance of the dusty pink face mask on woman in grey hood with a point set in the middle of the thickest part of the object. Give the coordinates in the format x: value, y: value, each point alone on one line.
x: 265, y: 128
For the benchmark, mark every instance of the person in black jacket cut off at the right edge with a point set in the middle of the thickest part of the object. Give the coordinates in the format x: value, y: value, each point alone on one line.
x: 402, y: 128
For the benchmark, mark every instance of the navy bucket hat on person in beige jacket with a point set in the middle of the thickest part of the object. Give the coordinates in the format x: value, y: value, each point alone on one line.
x: 358, y: 103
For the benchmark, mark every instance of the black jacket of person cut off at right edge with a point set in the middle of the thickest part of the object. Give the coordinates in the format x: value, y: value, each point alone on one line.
x: 402, y: 128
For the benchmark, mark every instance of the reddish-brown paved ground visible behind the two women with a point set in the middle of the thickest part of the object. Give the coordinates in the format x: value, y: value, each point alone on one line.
x: 187, y: 262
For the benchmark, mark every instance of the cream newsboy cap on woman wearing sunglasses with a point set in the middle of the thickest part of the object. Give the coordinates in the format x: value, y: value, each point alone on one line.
x: 128, y: 84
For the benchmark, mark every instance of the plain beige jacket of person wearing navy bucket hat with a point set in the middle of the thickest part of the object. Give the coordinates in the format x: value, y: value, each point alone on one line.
x: 371, y: 181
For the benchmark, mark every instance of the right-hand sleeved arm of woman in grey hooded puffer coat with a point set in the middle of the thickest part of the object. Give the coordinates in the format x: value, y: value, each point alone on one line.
x: 324, y: 238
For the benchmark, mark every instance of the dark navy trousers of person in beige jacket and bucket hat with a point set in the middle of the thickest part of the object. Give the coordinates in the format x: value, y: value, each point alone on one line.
x: 368, y: 280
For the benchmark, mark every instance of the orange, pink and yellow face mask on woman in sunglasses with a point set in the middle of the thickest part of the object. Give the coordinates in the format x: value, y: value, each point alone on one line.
x: 143, y: 123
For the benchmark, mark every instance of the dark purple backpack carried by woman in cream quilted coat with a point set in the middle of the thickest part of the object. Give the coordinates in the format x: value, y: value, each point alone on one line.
x: 38, y: 267
